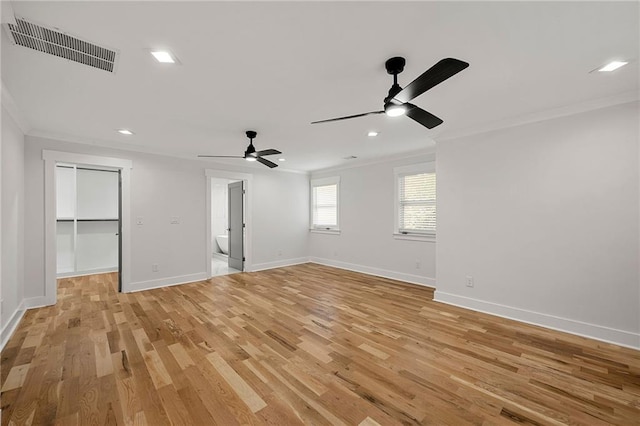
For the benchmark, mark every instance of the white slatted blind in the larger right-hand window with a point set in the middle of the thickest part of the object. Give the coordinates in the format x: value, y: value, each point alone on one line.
x: 417, y: 204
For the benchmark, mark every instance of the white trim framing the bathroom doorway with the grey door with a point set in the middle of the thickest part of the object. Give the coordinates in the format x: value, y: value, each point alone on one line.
x: 248, y: 182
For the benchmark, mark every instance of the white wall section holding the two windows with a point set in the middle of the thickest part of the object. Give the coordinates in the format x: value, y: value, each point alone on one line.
x: 366, y: 241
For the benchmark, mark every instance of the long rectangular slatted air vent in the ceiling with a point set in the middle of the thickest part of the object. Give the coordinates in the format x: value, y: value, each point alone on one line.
x: 59, y: 44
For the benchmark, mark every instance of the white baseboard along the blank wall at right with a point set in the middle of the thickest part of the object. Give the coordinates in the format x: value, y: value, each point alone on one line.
x: 592, y: 331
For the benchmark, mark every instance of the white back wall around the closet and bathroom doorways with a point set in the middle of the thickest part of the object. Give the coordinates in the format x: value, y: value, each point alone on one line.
x: 161, y: 188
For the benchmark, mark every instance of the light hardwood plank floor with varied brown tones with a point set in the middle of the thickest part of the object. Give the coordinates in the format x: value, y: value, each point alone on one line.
x: 306, y: 344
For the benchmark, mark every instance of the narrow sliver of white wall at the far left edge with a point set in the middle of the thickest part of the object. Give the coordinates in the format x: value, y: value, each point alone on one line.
x: 12, y: 217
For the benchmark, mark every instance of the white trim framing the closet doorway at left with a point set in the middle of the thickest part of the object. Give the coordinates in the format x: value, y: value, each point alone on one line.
x: 51, y: 159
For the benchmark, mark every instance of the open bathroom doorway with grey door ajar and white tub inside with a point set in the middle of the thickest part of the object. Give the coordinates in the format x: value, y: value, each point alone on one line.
x: 228, y: 202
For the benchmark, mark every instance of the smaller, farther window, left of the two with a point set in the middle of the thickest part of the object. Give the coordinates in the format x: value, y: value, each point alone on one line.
x: 324, y: 204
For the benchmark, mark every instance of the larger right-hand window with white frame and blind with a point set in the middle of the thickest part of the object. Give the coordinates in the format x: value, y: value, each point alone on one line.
x: 416, y: 201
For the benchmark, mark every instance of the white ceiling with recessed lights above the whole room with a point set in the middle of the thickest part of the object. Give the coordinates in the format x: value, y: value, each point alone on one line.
x: 276, y: 66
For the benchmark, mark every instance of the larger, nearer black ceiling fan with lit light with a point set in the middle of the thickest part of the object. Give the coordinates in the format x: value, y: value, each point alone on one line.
x: 397, y: 101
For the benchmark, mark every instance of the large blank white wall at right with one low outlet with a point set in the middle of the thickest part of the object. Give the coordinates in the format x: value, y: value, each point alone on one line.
x: 545, y: 217
